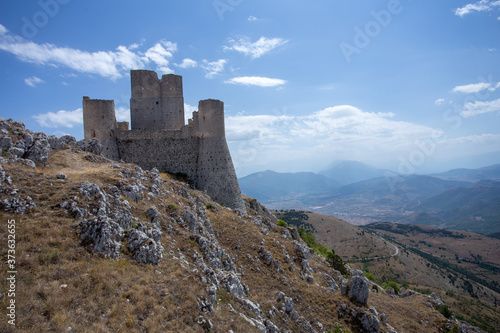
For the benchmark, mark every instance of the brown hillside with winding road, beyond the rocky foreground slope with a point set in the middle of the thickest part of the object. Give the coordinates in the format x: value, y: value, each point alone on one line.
x: 462, y: 267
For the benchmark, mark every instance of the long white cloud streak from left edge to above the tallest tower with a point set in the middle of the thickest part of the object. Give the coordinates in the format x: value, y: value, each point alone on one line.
x: 110, y: 64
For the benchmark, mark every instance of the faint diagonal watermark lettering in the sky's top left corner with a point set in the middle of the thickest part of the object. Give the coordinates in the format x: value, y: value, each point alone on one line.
x: 48, y: 10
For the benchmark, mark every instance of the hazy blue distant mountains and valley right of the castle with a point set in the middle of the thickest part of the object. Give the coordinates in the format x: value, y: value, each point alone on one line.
x: 462, y: 199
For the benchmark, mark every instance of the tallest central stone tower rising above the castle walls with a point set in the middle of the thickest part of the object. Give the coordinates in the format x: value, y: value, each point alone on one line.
x: 156, y: 104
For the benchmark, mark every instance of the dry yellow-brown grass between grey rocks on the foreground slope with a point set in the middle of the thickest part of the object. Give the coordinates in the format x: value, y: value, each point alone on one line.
x: 63, y: 286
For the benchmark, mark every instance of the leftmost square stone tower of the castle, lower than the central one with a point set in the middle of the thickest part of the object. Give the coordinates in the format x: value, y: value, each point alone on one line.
x: 99, y: 122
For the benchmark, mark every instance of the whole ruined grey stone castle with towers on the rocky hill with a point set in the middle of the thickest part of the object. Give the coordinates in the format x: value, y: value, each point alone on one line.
x: 159, y: 137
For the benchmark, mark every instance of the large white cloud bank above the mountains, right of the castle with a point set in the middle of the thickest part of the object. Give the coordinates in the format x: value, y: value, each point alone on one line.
x: 288, y: 143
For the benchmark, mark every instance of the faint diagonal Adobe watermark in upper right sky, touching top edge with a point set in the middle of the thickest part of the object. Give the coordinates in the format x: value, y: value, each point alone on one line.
x: 365, y: 34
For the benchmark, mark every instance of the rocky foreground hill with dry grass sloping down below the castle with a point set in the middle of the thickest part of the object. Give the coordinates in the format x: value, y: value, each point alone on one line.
x: 104, y: 246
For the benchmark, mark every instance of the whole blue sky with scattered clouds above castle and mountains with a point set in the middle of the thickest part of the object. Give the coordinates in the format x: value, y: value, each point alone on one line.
x: 412, y: 86
